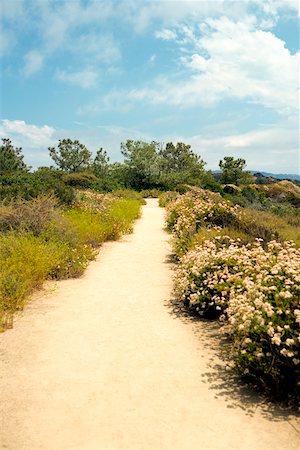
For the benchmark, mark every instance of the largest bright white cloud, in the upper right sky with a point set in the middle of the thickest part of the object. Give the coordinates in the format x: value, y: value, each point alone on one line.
x: 230, y: 60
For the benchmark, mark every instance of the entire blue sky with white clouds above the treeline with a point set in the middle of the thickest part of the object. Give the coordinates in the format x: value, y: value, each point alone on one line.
x: 220, y: 75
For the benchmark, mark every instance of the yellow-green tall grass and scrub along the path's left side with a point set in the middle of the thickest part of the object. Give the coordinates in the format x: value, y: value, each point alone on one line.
x: 41, y: 241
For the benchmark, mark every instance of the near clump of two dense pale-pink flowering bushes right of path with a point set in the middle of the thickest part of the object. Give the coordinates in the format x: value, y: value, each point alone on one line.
x: 256, y: 294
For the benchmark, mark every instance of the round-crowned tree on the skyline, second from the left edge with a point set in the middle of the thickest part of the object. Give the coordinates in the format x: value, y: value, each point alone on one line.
x: 71, y: 156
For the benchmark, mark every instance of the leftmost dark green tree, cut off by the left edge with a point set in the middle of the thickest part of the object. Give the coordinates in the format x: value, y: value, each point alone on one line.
x: 11, y: 158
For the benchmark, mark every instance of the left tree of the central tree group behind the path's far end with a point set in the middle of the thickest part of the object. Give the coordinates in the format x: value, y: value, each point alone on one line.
x: 142, y: 161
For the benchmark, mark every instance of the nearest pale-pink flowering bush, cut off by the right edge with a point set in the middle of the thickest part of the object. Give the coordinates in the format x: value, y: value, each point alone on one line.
x: 264, y: 321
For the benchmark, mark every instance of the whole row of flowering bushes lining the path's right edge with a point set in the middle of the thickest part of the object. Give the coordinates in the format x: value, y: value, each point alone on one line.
x: 252, y: 286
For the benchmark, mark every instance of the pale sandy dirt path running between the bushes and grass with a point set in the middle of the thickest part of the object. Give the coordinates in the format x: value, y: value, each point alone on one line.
x: 103, y: 363
